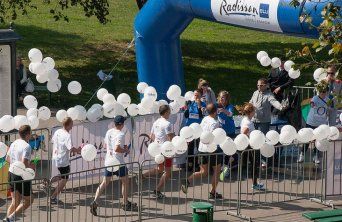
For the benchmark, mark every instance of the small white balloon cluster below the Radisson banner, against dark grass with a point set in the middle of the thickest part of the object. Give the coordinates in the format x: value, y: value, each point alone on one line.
x: 275, y: 62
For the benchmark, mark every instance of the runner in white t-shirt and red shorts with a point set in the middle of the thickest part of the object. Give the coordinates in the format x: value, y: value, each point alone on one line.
x: 161, y: 131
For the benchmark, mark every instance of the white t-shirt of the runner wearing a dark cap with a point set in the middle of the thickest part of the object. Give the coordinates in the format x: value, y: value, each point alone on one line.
x: 113, y: 138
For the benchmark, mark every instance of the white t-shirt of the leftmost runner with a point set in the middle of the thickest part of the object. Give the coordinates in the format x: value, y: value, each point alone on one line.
x: 19, y: 150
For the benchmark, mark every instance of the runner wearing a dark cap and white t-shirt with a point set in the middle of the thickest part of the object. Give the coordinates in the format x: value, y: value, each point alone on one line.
x: 114, y: 142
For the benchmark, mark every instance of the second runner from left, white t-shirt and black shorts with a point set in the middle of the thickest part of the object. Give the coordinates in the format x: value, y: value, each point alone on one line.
x: 62, y: 146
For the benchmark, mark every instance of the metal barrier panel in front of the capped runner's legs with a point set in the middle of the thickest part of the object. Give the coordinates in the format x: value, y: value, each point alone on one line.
x: 75, y: 201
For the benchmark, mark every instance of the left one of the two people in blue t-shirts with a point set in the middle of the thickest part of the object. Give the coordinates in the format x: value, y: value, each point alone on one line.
x: 193, y: 114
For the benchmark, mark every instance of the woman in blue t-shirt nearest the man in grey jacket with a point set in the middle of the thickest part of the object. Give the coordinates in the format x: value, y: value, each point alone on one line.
x: 225, y: 112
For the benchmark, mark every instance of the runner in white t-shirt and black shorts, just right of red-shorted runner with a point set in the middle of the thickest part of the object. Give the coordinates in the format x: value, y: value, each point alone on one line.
x: 209, y: 123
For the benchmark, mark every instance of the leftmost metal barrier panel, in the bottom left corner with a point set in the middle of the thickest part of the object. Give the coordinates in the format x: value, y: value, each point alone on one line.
x: 36, y: 203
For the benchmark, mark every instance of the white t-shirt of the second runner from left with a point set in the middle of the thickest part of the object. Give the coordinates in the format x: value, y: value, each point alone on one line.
x: 61, y: 140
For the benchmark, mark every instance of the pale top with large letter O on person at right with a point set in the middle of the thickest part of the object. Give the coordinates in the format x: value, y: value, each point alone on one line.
x: 318, y: 111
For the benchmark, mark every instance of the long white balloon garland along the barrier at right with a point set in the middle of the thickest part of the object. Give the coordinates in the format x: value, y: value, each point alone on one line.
x: 256, y: 140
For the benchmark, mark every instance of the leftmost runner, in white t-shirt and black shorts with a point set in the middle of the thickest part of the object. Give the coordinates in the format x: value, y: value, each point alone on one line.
x: 20, y: 151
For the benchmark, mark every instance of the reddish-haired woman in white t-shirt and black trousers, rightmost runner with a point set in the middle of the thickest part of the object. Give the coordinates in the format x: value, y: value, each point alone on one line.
x: 247, y: 126
